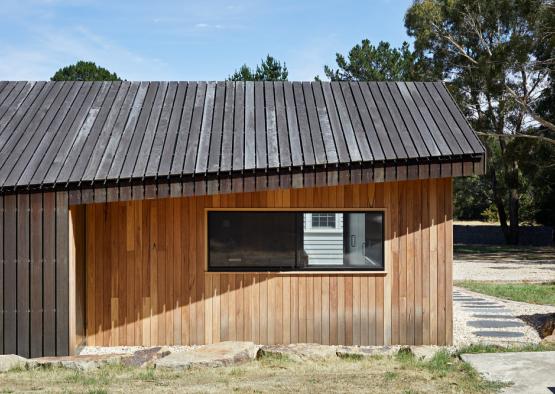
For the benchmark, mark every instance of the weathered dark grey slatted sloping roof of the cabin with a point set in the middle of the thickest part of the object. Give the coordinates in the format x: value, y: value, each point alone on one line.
x: 82, y: 134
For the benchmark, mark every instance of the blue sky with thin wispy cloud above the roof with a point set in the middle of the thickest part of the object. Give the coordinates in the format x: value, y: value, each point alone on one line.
x: 188, y: 40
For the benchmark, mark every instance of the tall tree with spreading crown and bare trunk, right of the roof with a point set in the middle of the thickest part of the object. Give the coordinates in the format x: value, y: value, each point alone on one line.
x: 487, y: 52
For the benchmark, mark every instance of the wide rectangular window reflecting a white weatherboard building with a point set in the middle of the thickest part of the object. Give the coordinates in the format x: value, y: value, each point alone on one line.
x: 286, y: 241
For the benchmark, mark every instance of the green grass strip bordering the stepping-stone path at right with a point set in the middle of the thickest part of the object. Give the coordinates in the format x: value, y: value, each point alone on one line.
x: 532, y: 293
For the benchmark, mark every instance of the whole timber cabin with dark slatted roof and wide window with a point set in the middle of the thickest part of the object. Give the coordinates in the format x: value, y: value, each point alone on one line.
x: 177, y: 213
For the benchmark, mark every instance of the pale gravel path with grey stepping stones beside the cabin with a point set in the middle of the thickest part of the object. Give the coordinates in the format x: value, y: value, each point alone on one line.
x: 478, y: 318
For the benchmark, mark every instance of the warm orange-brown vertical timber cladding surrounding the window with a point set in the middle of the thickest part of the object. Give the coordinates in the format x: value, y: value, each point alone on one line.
x: 147, y: 285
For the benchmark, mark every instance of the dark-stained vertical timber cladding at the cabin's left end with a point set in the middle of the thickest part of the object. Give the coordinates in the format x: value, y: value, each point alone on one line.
x: 34, y: 274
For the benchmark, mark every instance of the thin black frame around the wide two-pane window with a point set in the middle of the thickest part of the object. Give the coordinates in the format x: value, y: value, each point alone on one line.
x: 296, y: 266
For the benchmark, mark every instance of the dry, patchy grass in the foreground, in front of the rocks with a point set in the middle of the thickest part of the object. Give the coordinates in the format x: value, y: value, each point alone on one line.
x: 402, y: 373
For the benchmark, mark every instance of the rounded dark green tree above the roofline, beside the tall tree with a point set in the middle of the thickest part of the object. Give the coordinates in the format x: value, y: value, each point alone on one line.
x: 366, y: 62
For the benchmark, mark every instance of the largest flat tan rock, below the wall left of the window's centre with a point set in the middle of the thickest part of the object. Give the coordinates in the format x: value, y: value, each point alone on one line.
x: 216, y: 355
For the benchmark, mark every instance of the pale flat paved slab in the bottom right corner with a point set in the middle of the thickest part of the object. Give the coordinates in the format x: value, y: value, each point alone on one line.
x: 530, y: 372
